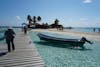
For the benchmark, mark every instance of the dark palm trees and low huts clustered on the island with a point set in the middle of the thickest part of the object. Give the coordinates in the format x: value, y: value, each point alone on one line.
x: 33, y: 22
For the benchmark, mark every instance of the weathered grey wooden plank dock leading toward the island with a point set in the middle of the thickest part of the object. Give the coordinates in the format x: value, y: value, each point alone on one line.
x: 25, y: 54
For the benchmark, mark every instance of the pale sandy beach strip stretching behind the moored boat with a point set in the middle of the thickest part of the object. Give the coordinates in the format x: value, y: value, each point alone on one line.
x: 91, y: 36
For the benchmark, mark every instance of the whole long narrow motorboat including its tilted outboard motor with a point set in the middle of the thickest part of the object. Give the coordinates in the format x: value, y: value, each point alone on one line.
x: 72, y: 42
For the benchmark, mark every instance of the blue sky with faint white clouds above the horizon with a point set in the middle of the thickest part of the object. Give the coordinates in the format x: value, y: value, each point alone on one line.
x: 75, y: 13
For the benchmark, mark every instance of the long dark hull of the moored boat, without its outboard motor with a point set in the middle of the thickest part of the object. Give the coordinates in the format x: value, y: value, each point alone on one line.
x: 72, y: 42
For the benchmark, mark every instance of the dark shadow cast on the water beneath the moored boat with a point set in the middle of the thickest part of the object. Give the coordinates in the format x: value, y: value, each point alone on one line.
x: 59, y: 45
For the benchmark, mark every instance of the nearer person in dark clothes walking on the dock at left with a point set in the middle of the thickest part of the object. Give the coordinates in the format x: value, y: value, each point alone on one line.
x: 9, y: 36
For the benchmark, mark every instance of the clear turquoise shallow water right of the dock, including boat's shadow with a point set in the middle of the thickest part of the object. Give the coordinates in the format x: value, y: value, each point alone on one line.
x: 58, y: 55
